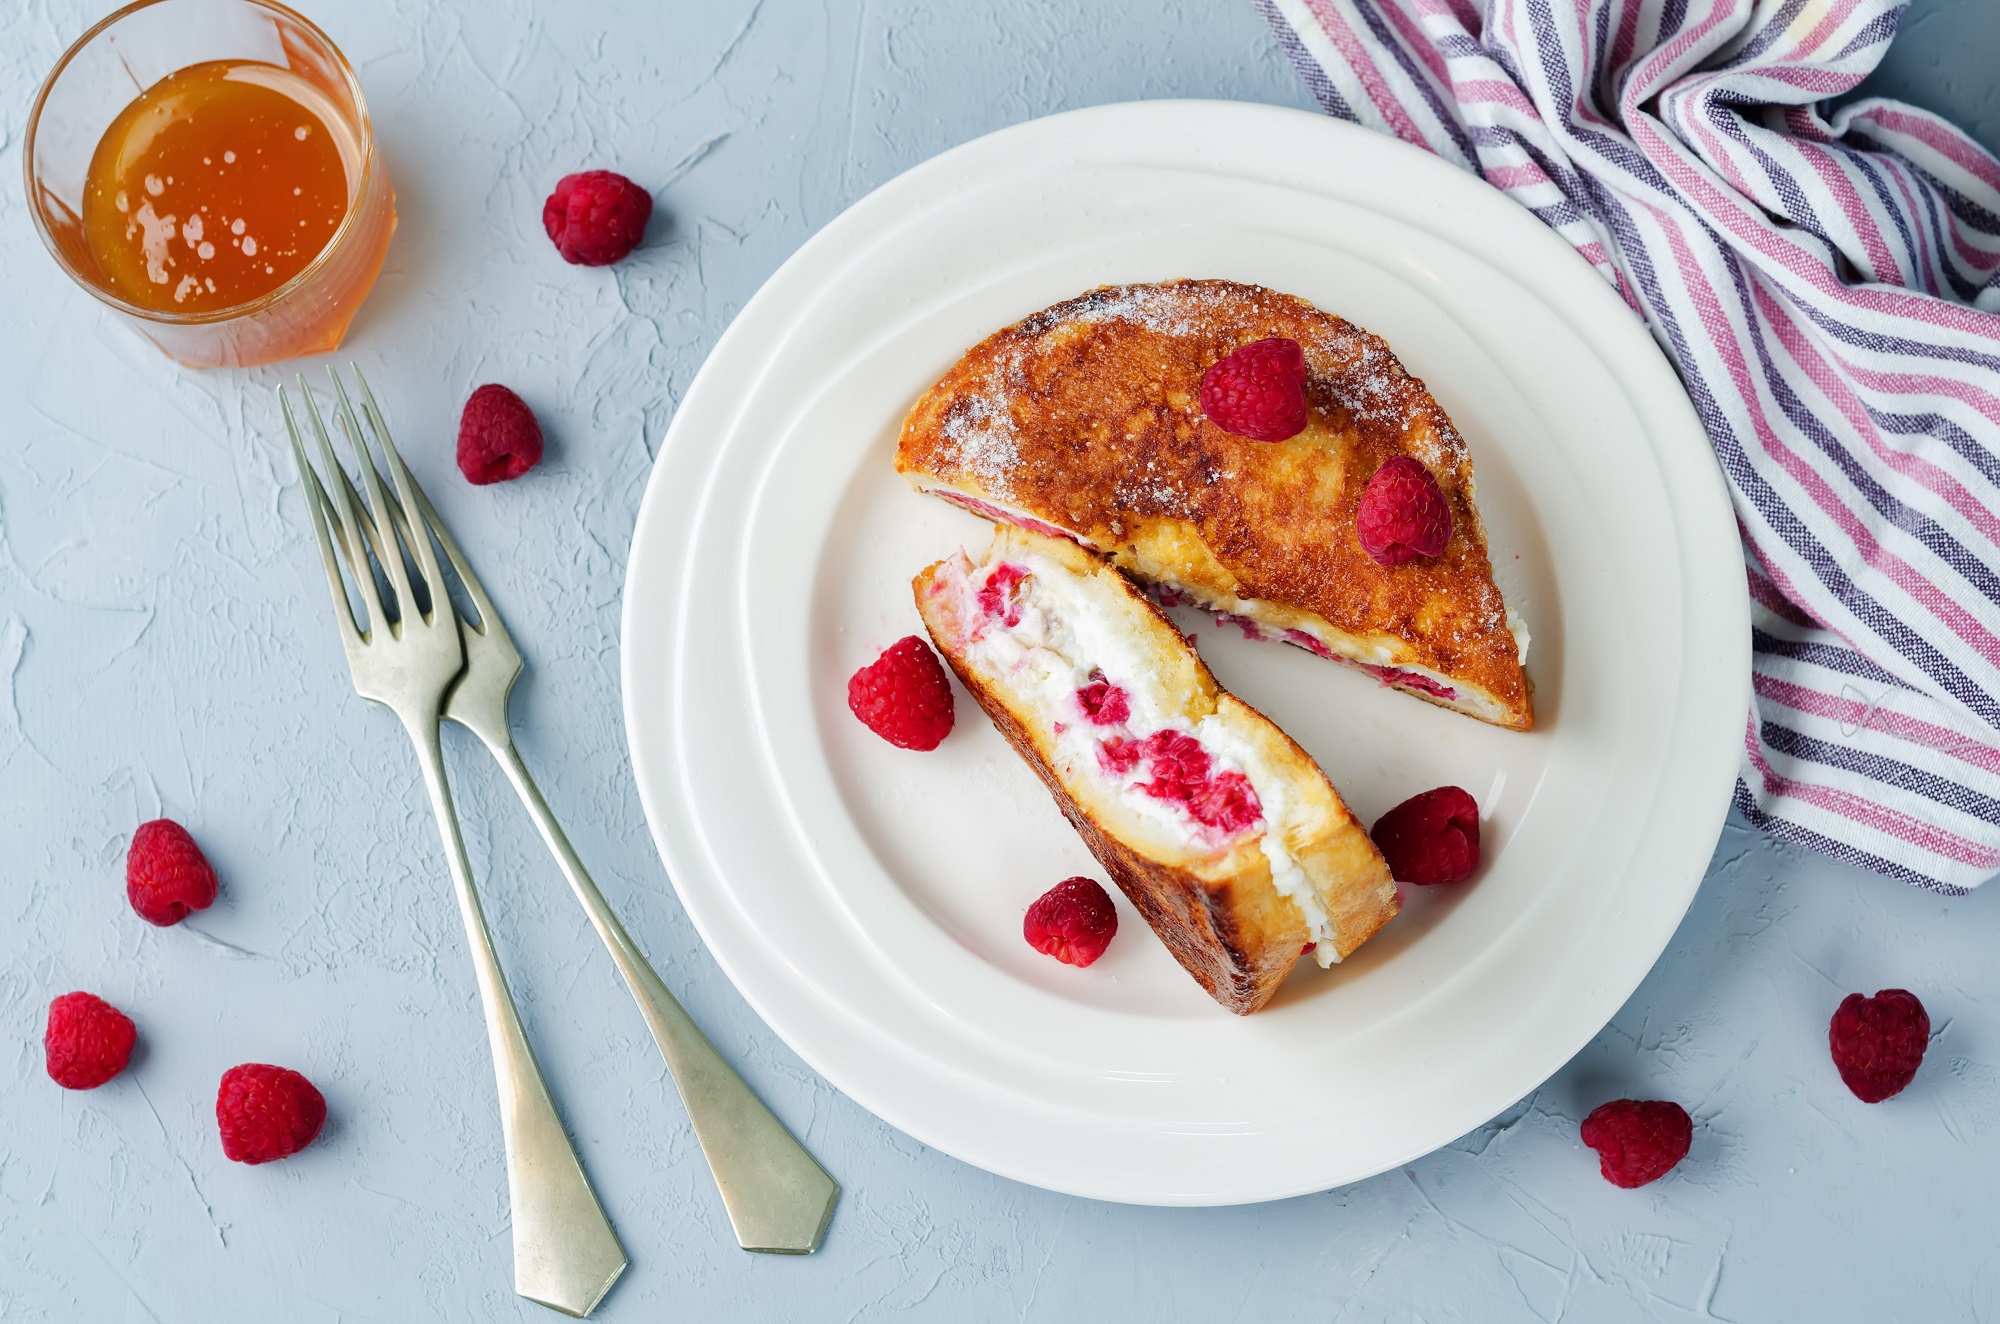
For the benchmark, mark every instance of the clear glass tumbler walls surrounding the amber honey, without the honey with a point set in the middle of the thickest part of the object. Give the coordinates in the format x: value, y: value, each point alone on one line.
x: 141, y: 45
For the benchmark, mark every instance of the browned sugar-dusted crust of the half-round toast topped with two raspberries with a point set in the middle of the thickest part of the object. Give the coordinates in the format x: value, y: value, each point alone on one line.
x: 1087, y: 417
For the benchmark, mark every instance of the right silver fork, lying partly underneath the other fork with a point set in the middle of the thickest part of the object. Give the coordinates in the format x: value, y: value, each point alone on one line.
x: 777, y: 1195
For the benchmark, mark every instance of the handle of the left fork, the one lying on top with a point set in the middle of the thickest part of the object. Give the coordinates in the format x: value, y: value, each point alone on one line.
x: 565, y: 1251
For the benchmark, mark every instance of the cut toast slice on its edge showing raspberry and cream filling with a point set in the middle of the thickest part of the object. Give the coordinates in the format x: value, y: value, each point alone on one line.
x: 1099, y: 693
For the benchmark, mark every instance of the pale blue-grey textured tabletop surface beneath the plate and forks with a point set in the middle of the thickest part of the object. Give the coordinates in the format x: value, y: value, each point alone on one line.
x: 165, y: 649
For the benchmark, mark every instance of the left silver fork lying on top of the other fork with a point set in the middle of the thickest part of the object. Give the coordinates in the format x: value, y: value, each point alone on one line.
x: 565, y: 1251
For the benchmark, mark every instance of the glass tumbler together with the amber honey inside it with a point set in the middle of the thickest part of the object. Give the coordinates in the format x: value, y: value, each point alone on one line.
x: 207, y: 169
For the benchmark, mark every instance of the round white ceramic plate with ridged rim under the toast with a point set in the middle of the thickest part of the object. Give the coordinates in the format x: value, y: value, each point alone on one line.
x: 867, y: 901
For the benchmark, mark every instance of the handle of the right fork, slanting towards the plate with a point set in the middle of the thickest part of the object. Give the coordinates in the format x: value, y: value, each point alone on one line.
x: 777, y: 1195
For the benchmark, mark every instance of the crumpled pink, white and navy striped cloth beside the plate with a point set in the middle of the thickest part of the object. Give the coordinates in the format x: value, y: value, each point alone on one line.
x: 1827, y: 287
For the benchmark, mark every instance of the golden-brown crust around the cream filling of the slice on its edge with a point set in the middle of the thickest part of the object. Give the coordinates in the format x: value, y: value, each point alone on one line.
x: 1221, y: 917
